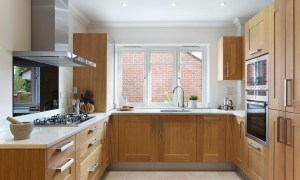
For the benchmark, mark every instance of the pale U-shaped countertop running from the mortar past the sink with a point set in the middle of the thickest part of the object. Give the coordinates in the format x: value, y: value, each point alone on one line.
x: 44, y: 137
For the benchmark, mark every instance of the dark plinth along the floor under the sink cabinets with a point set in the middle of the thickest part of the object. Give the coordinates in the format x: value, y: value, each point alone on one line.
x: 137, y: 166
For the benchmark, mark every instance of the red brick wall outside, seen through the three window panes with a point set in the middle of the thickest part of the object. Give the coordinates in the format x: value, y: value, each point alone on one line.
x: 161, y: 76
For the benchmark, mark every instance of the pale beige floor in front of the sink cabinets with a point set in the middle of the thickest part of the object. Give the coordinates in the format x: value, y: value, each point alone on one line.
x: 172, y: 175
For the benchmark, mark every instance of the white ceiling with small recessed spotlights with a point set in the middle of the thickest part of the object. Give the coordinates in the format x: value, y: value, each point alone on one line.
x: 161, y: 10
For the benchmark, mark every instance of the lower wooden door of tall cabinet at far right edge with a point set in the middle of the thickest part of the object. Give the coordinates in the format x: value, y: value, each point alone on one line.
x: 292, y: 141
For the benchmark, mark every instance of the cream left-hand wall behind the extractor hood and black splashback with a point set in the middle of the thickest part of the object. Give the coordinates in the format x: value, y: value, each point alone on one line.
x: 15, y: 35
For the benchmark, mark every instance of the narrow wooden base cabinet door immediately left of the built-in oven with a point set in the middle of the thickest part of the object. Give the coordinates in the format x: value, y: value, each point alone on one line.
x: 239, y: 144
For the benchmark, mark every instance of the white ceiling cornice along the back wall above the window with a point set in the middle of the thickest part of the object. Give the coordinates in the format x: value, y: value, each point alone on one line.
x: 159, y: 24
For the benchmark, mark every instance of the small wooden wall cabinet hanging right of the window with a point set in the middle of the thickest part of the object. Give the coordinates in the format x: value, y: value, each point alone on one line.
x: 230, y: 58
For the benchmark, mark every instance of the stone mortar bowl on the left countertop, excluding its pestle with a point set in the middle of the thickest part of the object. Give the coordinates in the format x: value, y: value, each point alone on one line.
x: 21, y: 131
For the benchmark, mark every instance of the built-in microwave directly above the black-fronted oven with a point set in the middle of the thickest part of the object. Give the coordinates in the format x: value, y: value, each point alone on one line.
x: 257, y: 73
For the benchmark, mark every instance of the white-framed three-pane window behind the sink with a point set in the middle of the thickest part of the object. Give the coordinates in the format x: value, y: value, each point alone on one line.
x: 147, y: 75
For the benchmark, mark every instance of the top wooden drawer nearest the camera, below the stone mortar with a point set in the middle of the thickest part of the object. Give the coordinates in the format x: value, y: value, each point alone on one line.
x: 60, y: 150
